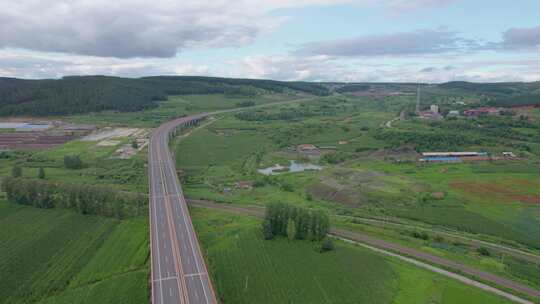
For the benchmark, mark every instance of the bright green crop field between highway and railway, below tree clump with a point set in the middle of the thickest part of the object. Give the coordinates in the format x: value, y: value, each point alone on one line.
x: 281, y: 271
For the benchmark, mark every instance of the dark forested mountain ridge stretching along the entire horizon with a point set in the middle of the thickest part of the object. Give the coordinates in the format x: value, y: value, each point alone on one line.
x: 83, y: 94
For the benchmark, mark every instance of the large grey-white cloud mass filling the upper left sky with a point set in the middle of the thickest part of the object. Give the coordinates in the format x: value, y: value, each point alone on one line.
x: 137, y: 28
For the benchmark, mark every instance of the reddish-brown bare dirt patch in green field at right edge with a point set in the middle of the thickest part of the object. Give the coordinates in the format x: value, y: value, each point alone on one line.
x: 498, y: 191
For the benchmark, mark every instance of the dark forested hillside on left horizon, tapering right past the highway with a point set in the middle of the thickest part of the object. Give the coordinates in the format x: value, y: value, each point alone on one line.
x: 83, y: 94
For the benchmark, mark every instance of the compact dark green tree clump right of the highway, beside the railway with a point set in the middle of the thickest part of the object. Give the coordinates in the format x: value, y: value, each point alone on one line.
x: 294, y: 222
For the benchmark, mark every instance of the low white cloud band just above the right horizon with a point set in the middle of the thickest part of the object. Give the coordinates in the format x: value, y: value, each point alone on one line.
x: 327, y: 68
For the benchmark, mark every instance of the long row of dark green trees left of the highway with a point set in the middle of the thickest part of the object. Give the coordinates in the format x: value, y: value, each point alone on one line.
x: 85, y: 199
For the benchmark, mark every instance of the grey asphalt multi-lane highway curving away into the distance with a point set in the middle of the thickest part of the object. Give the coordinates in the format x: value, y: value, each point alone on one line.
x: 179, y: 273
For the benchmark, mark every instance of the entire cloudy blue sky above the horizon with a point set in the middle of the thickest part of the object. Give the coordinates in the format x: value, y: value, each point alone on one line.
x: 311, y: 40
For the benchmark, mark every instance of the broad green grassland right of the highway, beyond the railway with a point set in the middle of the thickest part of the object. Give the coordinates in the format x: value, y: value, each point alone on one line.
x: 232, y: 149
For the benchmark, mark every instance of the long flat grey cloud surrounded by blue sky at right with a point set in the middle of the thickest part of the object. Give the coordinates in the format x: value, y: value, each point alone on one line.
x: 426, y: 41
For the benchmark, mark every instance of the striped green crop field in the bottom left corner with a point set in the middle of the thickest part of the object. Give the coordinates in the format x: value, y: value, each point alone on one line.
x: 56, y: 256
